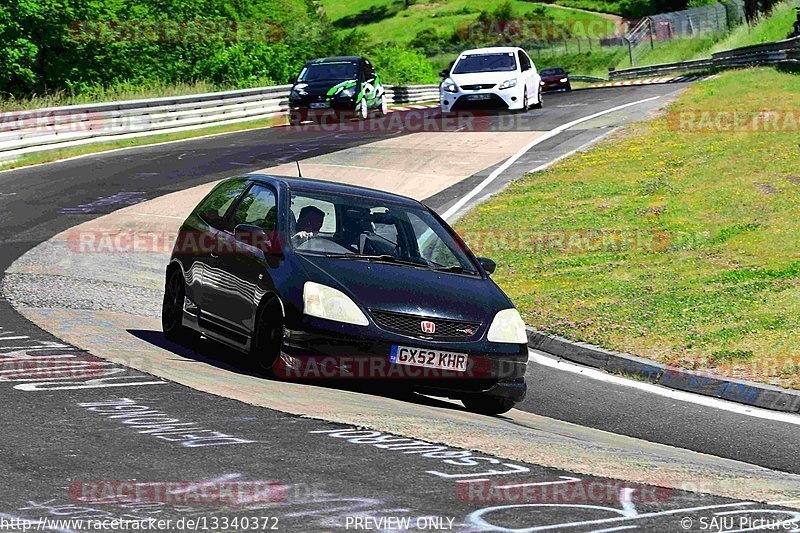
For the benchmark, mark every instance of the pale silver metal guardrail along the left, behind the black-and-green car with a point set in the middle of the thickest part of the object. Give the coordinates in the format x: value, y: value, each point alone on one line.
x: 23, y: 132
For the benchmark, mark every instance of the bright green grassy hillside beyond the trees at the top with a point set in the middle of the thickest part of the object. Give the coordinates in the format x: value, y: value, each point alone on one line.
x: 390, y: 20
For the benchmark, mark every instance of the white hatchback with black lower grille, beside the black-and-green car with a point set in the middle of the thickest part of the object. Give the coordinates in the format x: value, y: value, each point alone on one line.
x: 498, y: 77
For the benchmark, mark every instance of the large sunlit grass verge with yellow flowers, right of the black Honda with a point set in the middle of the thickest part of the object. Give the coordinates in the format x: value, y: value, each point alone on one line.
x: 666, y: 242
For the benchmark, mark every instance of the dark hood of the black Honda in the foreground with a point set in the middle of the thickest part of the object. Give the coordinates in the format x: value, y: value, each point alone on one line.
x: 404, y: 289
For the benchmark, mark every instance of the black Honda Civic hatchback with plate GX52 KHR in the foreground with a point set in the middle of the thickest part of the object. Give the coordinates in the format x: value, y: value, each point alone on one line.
x: 313, y: 279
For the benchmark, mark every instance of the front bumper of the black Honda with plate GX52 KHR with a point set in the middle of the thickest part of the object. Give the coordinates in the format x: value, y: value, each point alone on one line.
x: 316, y: 349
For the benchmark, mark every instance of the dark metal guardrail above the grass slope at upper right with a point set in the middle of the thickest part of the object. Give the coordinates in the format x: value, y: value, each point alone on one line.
x: 786, y: 52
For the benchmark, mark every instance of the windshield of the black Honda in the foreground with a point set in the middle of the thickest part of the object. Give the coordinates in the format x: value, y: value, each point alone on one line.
x: 371, y: 229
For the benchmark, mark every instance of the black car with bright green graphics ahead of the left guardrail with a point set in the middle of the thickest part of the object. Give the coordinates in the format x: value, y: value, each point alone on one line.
x: 343, y: 86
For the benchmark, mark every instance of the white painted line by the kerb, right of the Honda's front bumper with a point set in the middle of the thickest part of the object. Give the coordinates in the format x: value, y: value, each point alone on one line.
x: 705, y: 401
